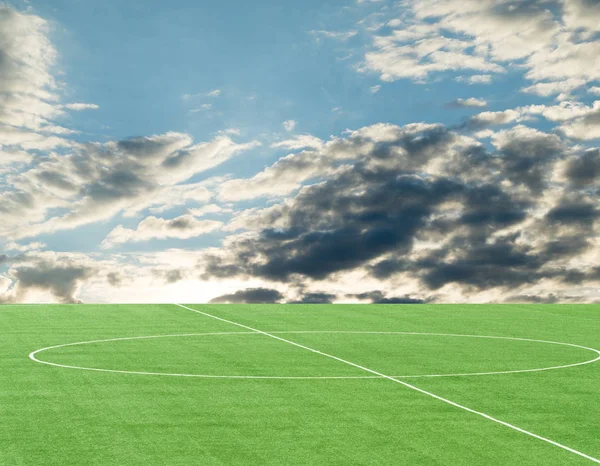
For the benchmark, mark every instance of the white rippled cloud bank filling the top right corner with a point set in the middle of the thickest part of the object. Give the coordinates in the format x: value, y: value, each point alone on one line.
x: 554, y: 39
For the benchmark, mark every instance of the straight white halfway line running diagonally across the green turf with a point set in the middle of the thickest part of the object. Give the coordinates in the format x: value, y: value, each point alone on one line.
x: 407, y: 385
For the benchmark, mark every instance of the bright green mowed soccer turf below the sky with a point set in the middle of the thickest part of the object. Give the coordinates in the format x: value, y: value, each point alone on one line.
x: 321, y: 410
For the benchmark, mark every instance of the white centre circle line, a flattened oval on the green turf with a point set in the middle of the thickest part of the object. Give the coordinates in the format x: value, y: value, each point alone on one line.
x: 33, y: 357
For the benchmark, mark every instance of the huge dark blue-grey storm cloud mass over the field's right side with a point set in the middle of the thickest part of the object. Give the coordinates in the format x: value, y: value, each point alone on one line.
x: 370, y: 217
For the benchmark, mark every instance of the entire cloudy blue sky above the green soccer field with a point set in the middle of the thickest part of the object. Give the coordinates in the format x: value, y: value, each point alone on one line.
x: 356, y: 151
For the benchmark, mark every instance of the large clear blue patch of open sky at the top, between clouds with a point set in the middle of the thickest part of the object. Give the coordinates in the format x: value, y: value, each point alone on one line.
x: 137, y: 60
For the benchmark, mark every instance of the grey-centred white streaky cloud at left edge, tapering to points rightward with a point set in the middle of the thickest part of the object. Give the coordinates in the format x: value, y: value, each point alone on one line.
x: 96, y: 181
